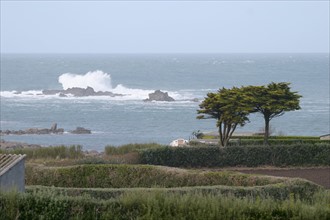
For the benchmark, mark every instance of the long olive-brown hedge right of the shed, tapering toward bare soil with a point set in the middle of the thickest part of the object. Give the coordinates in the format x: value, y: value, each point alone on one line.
x: 121, y: 176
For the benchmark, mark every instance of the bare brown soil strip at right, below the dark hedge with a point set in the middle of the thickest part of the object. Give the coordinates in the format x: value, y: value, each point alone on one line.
x: 320, y: 176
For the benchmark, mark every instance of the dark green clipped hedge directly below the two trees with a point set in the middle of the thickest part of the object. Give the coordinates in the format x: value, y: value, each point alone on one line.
x: 250, y: 156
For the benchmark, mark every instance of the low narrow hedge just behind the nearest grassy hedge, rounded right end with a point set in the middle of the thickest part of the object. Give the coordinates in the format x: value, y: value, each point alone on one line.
x: 296, y: 187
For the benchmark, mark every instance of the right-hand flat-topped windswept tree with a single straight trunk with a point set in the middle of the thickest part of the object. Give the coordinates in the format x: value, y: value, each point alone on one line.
x: 272, y: 101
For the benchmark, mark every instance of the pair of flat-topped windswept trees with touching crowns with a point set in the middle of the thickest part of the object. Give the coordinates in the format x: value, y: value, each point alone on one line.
x: 231, y: 107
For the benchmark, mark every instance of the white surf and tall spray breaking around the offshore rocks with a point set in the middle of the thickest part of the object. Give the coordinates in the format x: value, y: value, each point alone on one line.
x: 93, y: 85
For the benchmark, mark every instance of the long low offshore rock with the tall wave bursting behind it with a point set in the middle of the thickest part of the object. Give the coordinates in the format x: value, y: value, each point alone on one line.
x: 79, y: 92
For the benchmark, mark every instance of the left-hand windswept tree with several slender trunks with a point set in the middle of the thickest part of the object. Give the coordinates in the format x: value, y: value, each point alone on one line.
x: 229, y: 108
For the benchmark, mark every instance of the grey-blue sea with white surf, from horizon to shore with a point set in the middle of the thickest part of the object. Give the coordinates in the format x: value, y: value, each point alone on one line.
x: 127, y: 119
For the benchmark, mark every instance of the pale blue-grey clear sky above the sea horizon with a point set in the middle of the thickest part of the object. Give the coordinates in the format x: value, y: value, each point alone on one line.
x: 164, y: 26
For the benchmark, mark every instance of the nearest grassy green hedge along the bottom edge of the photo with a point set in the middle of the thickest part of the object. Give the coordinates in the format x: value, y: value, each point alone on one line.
x: 158, y: 205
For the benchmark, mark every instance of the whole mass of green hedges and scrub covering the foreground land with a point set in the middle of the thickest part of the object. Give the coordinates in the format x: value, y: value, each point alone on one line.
x: 69, y: 183
